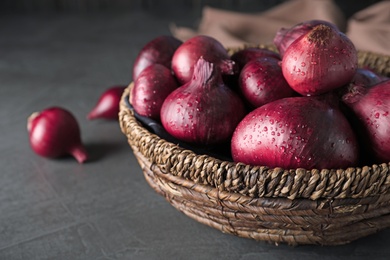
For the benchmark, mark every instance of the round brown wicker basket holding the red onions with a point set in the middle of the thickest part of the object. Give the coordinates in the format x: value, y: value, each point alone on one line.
x: 297, y: 207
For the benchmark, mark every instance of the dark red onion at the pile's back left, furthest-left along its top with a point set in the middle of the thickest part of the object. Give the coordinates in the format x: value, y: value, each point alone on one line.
x: 160, y: 50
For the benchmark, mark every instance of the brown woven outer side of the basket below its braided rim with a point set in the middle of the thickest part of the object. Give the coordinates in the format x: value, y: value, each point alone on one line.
x: 324, y: 222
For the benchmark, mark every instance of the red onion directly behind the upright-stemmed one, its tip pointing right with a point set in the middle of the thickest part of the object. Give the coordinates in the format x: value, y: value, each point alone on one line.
x: 190, y: 51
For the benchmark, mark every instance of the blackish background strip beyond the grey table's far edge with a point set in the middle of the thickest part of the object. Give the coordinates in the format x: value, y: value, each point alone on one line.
x: 349, y: 7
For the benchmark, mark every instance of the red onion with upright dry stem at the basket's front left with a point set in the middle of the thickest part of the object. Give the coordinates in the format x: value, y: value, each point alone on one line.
x: 203, y: 111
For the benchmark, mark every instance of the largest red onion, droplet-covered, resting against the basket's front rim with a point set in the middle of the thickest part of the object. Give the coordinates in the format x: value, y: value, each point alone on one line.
x: 295, y: 132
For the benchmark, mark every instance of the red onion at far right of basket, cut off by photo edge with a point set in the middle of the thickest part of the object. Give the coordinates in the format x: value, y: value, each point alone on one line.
x: 372, y: 108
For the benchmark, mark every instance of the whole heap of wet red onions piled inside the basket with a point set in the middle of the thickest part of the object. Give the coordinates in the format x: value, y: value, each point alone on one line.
x: 306, y: 106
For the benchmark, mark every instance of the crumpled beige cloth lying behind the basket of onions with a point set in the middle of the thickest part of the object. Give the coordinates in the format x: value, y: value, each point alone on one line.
x: 234, y: 29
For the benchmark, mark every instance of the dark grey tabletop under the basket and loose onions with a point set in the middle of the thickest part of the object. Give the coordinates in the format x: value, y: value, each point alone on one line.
x: 103, y: 209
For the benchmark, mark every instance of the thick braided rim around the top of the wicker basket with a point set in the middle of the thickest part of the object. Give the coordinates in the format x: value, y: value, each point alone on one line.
x: 257, y: 181
